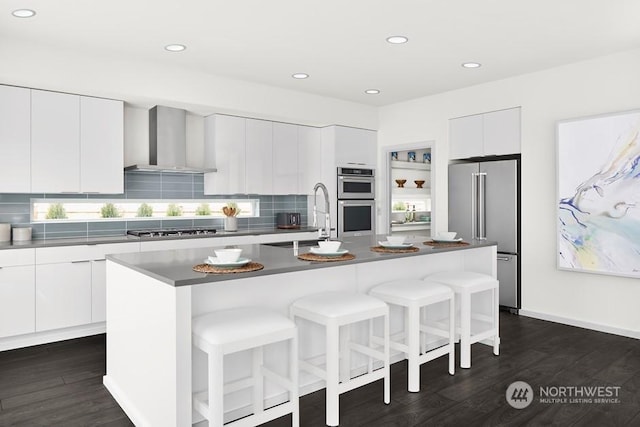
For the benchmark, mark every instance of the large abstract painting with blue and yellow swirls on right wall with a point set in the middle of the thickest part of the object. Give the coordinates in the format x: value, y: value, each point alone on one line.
x: 598, y: 177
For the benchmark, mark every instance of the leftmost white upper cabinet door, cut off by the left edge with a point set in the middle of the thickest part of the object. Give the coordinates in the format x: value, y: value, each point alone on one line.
x: 15, y: 140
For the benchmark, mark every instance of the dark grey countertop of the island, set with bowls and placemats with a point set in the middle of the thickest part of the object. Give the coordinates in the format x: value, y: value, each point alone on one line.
x: 175, y: 267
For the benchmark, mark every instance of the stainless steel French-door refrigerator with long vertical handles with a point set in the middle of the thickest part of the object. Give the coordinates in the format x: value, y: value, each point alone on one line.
x: 484, y: 203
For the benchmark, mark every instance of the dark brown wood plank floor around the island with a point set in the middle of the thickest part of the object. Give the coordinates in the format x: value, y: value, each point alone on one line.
x: 60, y: 384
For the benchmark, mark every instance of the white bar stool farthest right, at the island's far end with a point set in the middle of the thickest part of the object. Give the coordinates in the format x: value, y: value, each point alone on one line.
x: 473, y: 326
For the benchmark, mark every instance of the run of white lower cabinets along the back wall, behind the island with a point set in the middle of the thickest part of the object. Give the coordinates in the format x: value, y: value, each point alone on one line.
x: 53, y: 288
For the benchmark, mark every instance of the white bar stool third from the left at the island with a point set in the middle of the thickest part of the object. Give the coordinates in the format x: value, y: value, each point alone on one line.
x: 416, y: 297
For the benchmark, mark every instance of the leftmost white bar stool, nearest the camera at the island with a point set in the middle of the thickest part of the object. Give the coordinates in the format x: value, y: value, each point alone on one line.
x: 229, y: 331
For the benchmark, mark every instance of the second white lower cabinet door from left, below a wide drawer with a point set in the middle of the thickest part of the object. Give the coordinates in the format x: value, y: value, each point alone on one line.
x: 63, y: 295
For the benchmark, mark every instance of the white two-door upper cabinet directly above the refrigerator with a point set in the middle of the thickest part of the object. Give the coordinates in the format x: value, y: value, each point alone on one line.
x: 488, y: 134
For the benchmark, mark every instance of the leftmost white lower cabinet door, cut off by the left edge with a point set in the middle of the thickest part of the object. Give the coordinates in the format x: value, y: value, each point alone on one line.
x: 17, y: 300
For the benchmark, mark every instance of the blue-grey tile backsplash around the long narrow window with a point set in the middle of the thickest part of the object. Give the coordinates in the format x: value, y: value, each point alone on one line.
x: 16, y: 208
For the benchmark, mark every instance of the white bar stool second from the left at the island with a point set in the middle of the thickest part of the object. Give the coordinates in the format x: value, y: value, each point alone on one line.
x: 334, y: 310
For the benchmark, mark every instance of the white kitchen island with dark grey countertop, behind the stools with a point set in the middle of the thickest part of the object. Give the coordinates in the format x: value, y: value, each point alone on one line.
x: 152, y: 297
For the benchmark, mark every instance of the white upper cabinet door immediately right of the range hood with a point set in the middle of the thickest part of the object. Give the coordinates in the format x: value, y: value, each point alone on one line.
x: 225, y: 150
